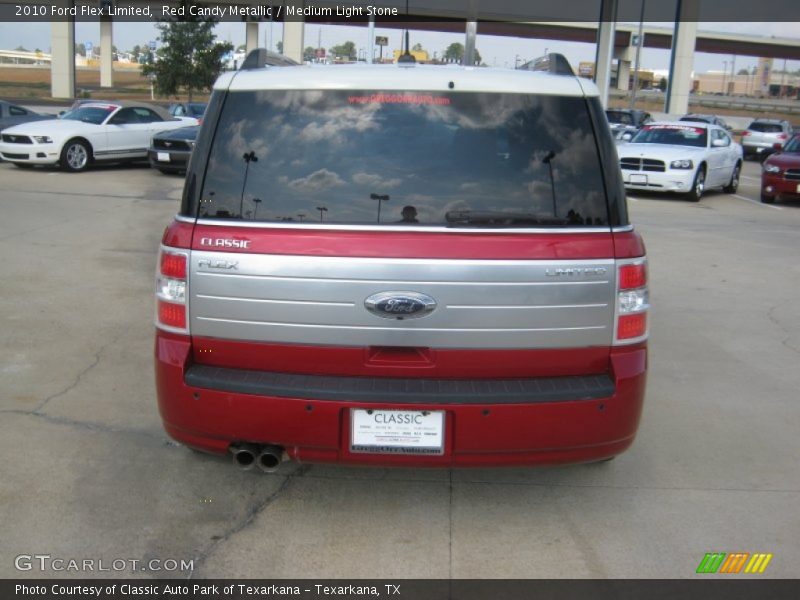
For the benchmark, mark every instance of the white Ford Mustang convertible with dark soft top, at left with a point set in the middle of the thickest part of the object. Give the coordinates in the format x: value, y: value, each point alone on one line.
x: 97, y: 131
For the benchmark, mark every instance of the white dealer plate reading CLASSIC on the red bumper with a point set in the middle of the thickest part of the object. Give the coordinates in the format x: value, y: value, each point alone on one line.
x: 397, y: 431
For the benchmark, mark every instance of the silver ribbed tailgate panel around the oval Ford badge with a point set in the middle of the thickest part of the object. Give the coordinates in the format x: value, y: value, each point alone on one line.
x: 481, y: 303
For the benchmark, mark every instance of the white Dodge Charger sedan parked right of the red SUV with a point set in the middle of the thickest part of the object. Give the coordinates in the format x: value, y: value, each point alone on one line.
x: 688, y: 158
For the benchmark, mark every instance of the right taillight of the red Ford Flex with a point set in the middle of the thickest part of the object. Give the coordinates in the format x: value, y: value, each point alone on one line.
x: 632, y: 302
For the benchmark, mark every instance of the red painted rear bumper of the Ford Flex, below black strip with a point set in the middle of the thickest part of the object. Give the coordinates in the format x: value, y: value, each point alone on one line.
x: 476, y: 433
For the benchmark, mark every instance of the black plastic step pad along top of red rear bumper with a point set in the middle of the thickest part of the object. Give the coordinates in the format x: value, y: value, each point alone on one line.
x: 410, y: 391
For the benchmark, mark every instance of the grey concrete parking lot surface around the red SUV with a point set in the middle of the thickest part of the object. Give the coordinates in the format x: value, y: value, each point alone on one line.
x: 90, y: 474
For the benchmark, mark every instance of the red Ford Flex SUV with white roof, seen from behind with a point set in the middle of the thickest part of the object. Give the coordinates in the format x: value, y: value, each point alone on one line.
x: 403, y: 265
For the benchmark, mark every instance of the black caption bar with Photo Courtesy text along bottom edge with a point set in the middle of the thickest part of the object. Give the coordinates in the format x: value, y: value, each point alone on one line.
x: 714, y: 588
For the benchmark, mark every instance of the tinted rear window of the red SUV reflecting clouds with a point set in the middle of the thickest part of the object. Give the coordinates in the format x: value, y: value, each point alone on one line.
x: 405, y: 158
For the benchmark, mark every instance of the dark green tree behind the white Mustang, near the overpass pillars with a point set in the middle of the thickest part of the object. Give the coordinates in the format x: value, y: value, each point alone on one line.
x: 189, y: 58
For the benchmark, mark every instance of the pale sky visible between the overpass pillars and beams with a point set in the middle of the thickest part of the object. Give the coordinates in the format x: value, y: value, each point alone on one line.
x: 495, y: 51
